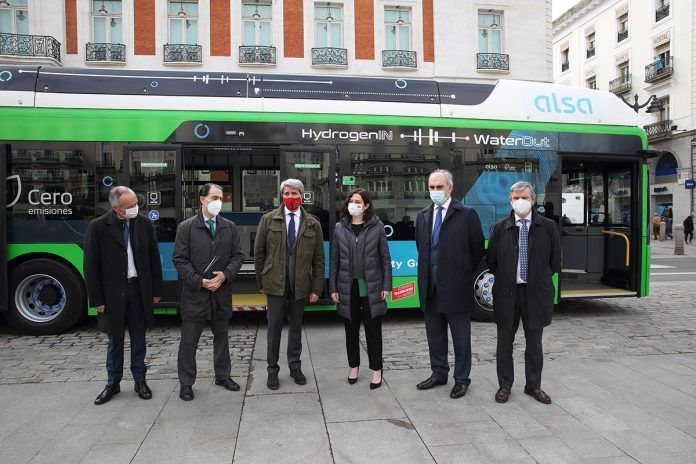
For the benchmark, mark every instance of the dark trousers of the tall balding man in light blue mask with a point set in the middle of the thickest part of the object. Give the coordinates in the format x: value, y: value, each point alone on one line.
x: 436, y: 330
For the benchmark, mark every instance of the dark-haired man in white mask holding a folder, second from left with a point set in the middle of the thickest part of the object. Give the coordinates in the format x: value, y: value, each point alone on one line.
x: 208, y: 256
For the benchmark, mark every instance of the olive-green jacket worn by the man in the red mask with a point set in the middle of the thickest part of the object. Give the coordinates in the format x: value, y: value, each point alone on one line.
x: 270, y: 254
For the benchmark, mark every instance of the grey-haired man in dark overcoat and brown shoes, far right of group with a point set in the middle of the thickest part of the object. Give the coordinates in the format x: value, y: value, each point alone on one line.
x: 524, y: 252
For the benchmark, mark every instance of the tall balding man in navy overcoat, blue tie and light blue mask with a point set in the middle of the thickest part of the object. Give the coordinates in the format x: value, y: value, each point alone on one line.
x: 450, y: 245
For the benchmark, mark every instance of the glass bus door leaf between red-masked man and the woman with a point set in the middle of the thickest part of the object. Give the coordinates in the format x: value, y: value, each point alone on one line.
x: 316, y: 168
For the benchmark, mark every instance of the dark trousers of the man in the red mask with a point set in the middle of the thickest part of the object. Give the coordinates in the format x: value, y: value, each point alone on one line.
x: 278, y: 307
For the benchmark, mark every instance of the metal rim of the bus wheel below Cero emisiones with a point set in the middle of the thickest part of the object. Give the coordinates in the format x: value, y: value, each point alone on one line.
x: 40, y: 298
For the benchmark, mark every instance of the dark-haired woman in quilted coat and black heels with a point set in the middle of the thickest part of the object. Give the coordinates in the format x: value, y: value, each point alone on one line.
x: 360, y: 280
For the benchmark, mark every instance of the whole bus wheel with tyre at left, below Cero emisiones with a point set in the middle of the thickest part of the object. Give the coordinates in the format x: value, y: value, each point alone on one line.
x: 46, y: 297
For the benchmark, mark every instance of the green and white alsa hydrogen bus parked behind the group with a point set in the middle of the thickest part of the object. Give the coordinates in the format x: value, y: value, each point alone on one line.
x: 68, y: 135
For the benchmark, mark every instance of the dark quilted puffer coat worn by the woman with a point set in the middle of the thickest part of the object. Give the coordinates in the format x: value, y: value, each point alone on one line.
x: 369, y: 253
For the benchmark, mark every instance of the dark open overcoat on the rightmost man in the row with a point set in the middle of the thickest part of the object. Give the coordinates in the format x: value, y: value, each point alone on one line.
x: 544, y: 262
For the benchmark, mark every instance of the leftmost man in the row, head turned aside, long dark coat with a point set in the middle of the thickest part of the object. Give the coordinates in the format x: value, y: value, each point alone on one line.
x: 123, y: 273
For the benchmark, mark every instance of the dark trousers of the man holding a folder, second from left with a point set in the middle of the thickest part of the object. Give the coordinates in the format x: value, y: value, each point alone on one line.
x: 188, y: 344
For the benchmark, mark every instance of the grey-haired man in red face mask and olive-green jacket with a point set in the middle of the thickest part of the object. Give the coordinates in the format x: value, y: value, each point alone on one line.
x: 289, y: 263
